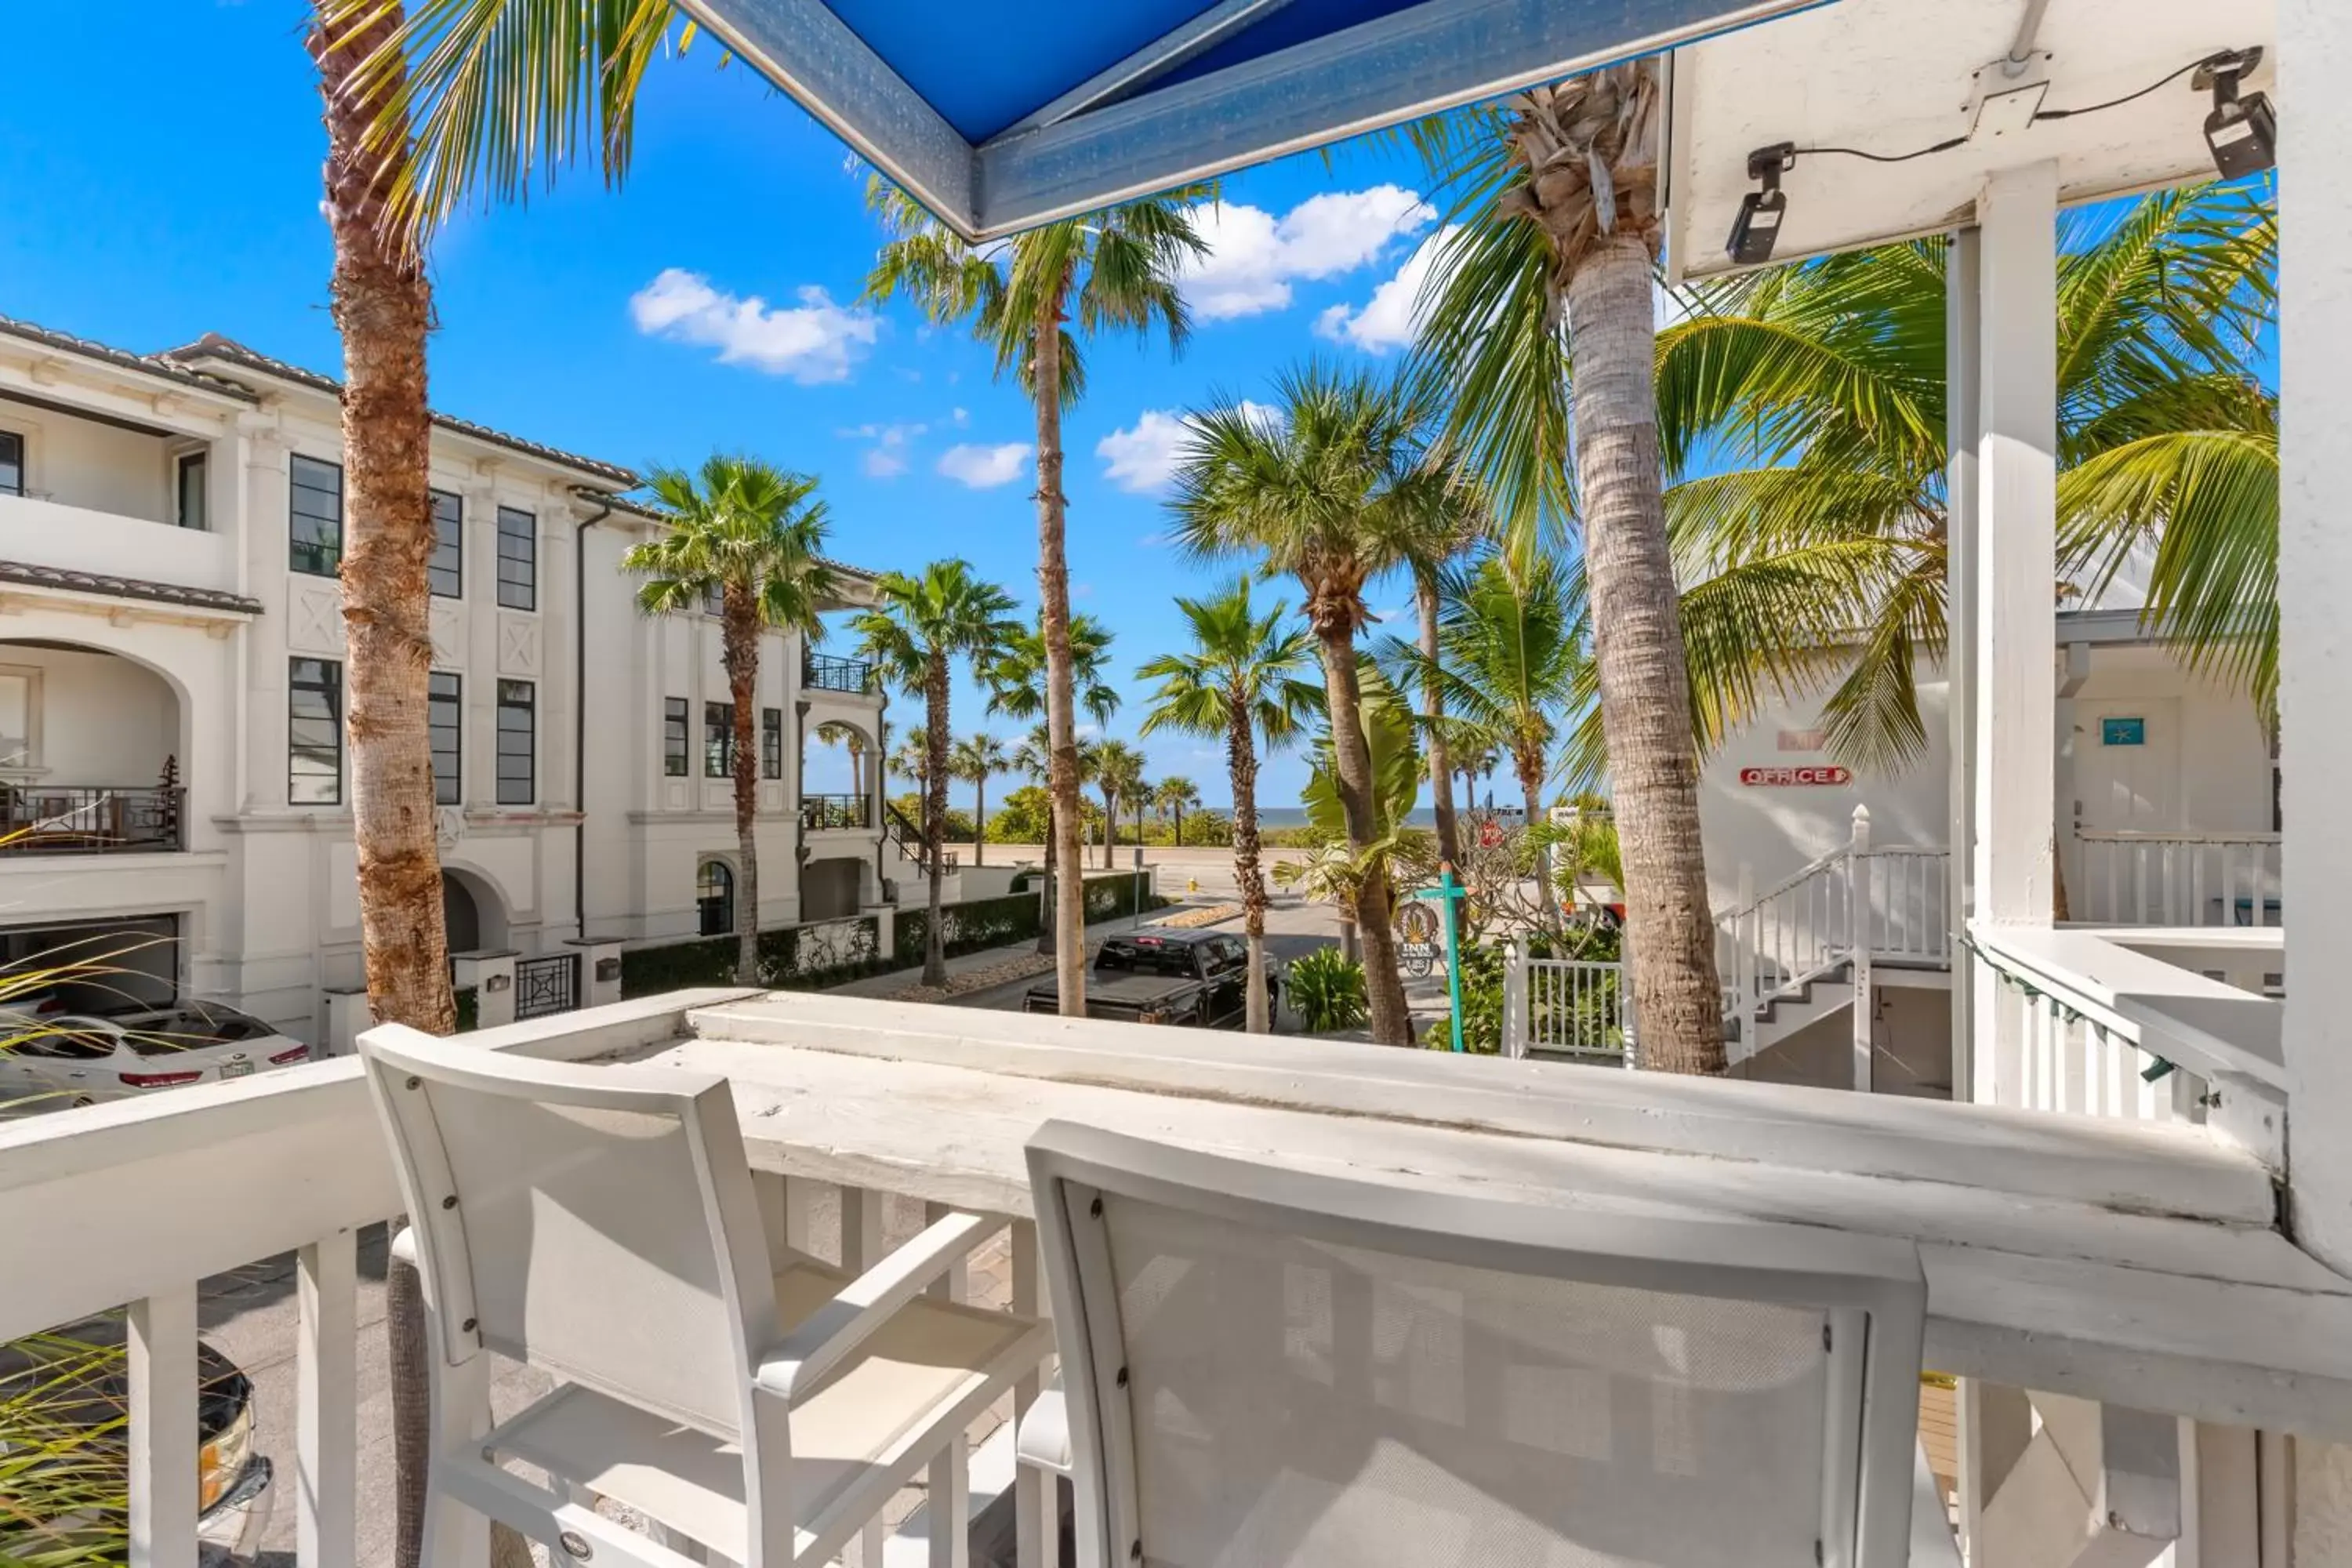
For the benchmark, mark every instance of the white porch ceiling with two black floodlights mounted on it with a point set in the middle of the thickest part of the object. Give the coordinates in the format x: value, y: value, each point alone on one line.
x: 1892, y: 76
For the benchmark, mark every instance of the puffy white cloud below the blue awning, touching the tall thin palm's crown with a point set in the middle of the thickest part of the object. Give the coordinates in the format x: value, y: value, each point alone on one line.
x: 1255, y: 255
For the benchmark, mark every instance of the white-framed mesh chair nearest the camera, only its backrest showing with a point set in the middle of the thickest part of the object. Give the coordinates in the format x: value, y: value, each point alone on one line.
x: 1274, y: 1369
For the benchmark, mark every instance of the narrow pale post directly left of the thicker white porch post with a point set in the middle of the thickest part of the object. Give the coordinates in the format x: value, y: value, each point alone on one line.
x: 1960, y: 375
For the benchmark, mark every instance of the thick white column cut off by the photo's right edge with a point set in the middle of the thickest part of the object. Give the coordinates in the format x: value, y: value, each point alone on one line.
x: 2316, y: 584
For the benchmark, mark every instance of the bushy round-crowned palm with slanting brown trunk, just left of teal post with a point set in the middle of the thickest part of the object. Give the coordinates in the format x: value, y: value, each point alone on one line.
x: 1330, y: 492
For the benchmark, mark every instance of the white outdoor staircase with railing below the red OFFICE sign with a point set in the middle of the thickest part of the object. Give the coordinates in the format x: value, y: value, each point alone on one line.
x: 1800, y: 951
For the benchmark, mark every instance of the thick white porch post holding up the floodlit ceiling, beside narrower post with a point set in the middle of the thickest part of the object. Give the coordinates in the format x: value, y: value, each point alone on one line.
x: 2017, y: 558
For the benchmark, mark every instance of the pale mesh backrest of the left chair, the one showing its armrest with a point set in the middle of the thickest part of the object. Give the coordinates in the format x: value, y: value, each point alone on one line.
x: 594, y: 1221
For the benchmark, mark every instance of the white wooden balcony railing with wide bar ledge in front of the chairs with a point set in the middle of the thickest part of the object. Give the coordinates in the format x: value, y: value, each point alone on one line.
x: 2130, y: 1266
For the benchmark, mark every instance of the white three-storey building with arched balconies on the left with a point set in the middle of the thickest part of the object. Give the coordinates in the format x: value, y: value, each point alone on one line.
x: 173, y: 758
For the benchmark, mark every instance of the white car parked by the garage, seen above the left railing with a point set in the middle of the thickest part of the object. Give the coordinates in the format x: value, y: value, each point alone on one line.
x: 53, y: 1059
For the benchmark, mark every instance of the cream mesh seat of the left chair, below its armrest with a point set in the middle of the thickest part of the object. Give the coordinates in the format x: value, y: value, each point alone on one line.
x: 848, y: 1440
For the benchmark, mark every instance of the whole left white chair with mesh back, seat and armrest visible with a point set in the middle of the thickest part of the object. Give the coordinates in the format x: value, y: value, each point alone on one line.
x: 599, y: 1221
